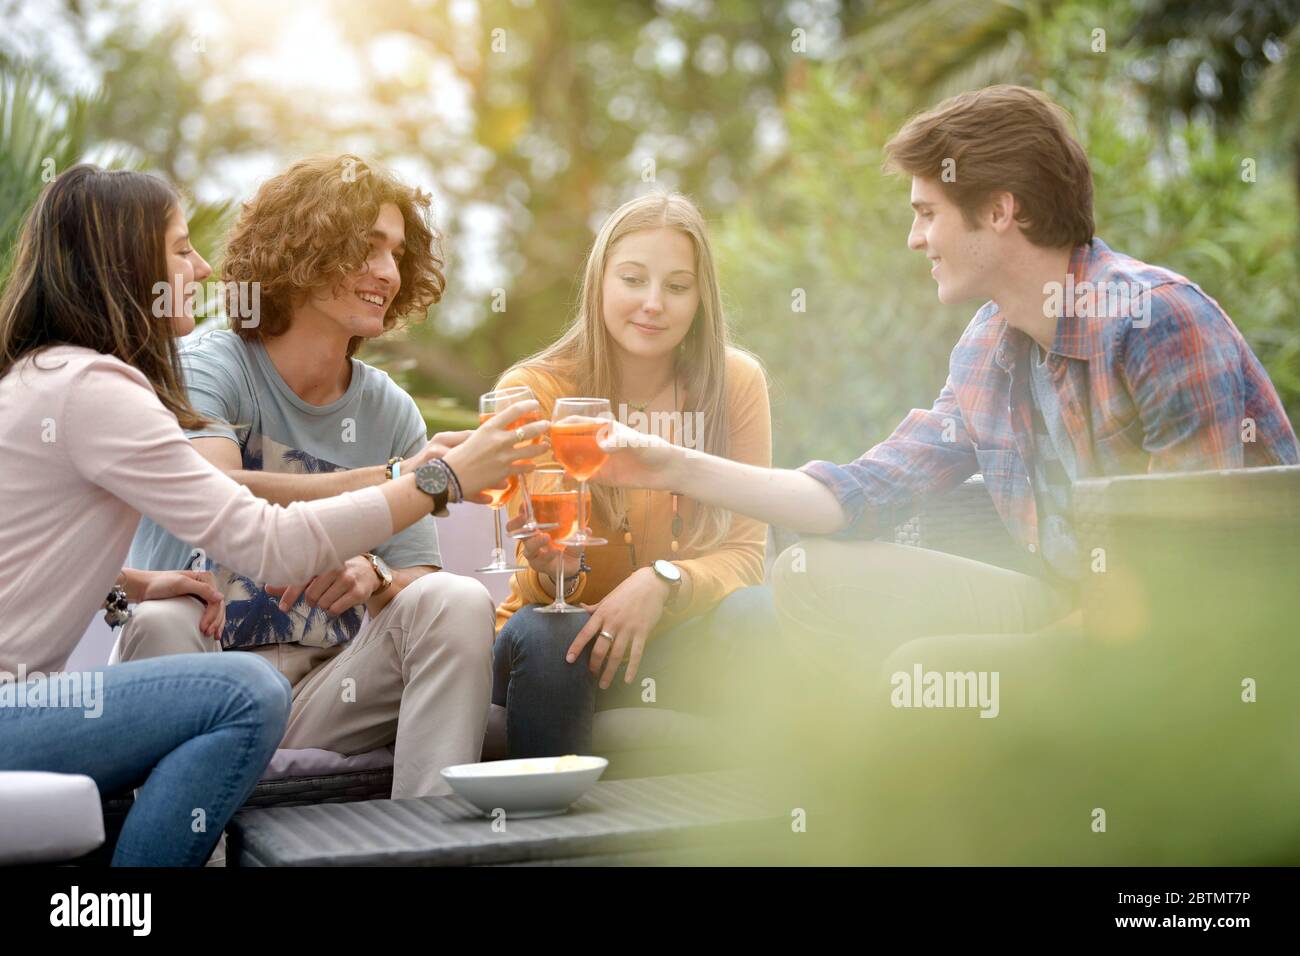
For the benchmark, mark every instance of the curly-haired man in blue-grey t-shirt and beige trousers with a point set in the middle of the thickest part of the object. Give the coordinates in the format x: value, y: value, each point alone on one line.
x: 340, y: 252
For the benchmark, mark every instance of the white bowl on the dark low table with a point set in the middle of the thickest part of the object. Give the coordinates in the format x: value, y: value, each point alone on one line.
x: 526, y: 788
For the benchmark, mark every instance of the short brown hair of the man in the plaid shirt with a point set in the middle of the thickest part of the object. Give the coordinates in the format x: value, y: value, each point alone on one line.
x: 1003, y: 139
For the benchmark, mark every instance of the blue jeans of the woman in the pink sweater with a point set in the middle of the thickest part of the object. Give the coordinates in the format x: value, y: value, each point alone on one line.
x: 193, y: 732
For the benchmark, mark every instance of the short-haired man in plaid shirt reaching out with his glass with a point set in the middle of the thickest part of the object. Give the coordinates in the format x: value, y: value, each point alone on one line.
x: 1082, y: 364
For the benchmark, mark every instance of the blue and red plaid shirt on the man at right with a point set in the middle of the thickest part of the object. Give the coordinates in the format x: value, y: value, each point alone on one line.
x: 1169, y: 387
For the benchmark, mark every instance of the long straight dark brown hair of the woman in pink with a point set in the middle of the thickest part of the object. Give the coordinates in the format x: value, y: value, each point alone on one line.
x: 86, y: 265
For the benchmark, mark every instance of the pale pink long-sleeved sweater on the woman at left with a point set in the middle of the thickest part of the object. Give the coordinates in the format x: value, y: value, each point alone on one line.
x: 86, y: 448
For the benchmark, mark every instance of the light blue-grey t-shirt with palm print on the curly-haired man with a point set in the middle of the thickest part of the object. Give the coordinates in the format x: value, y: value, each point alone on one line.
x: 236, y: 384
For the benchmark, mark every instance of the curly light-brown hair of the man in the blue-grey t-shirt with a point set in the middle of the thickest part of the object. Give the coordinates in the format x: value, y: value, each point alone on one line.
x: 309, y: 227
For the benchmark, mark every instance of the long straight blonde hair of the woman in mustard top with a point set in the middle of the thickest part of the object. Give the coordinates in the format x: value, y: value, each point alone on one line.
x: 583, y: 357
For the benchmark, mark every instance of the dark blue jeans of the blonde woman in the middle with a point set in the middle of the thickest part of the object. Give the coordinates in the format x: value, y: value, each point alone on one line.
x: 551, y: 703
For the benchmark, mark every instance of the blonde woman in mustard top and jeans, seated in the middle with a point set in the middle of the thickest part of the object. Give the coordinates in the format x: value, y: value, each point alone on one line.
x: 651, y: 338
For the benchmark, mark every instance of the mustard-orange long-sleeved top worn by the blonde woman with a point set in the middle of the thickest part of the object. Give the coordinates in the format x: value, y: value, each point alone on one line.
x: 736, y: 563
